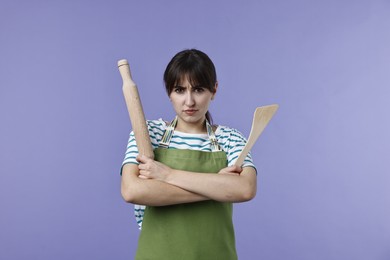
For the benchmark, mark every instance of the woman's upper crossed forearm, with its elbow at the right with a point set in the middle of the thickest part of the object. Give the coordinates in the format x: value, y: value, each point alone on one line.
x: 220, y: 187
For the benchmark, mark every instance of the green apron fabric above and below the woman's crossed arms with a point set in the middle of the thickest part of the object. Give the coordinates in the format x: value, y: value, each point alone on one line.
x: 191, y: 231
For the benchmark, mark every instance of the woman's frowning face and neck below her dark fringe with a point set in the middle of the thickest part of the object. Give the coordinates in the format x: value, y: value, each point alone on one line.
x: 191, y: 104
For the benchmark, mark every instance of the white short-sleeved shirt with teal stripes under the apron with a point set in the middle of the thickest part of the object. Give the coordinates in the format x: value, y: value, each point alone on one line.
x: 230, y: 140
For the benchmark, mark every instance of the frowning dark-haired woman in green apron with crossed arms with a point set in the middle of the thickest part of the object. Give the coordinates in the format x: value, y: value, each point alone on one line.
x: 189, y: 187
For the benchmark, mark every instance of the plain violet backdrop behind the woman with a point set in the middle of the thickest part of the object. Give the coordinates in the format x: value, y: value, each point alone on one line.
x: 323, y: 161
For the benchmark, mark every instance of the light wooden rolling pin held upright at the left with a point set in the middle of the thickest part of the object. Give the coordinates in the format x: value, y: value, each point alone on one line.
x: 136, y: 113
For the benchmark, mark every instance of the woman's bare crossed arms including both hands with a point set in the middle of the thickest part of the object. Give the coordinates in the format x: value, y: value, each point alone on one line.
x: 152, y: 183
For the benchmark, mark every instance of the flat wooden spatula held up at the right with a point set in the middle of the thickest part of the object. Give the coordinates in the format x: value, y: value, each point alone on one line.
x: 261, y: 118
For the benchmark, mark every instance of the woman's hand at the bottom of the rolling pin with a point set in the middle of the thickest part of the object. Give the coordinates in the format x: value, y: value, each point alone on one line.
x: 151, y: 169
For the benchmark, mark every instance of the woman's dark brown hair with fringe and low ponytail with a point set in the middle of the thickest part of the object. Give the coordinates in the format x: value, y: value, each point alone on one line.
x: 196, y: 66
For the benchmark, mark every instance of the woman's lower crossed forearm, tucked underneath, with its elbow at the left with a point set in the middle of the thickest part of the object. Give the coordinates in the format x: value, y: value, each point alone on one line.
x: 153, y: 192
